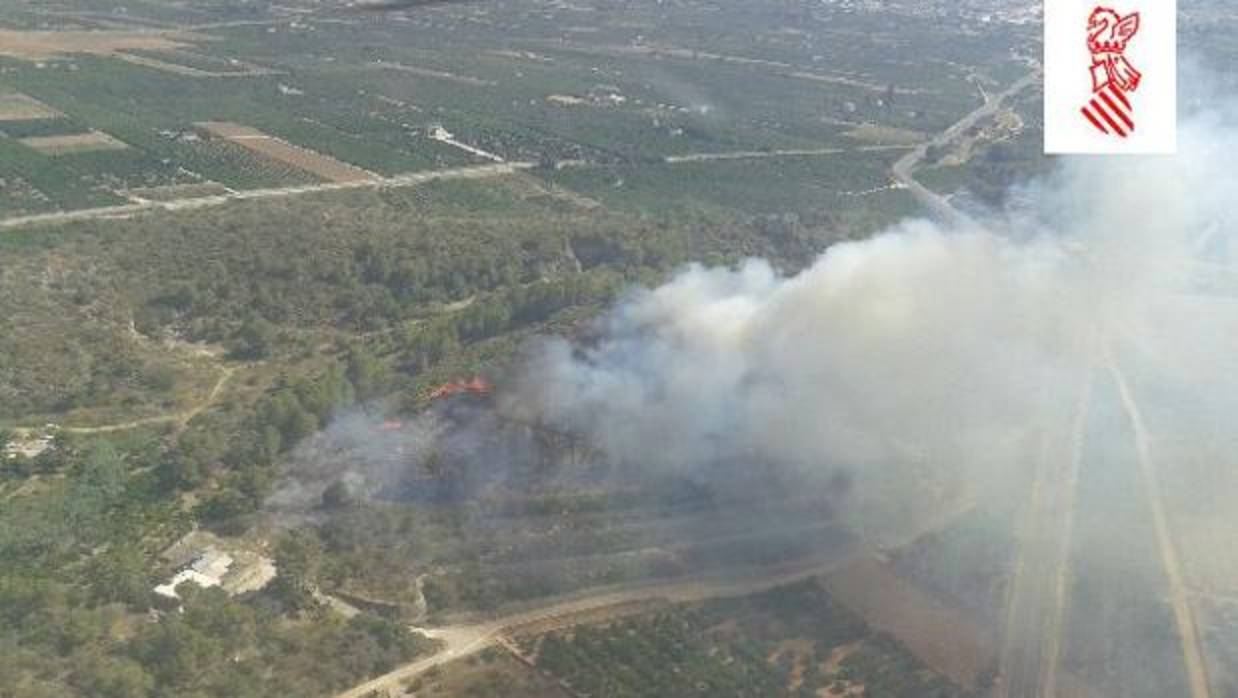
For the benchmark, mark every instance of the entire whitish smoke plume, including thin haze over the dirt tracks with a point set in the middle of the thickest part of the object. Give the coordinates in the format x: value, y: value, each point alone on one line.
x: 930, y: 366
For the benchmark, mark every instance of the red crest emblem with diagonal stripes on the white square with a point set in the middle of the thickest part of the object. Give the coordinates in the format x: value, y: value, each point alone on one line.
x: 1112, y: 76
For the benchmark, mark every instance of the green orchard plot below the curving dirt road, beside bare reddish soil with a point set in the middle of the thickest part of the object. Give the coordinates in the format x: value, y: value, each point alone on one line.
x: 788, y: 642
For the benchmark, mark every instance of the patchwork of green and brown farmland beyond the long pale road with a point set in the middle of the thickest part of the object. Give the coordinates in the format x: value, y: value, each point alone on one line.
x: 553, y: 86
